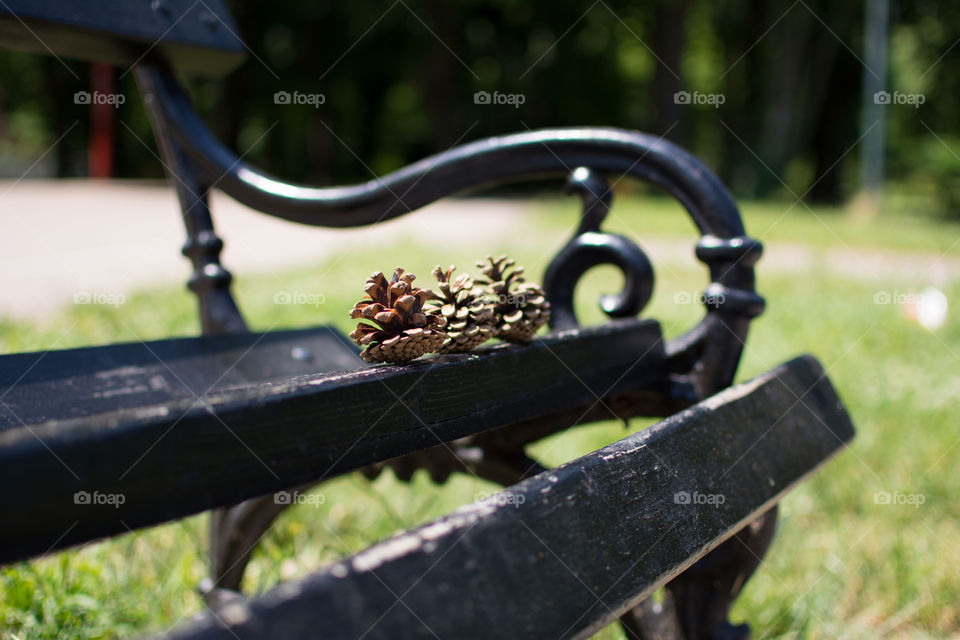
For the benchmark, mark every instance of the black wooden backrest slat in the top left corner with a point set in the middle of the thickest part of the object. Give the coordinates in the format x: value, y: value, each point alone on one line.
x: 193, y: 37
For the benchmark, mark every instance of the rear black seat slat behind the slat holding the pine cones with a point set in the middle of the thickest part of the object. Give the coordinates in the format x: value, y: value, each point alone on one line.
x: 58, y: 385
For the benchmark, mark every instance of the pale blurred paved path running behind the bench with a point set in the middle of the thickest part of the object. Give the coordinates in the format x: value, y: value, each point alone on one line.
x: 58, y: 238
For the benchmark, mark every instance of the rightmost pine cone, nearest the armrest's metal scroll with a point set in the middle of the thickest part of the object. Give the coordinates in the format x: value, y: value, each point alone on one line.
x: 520, y: 307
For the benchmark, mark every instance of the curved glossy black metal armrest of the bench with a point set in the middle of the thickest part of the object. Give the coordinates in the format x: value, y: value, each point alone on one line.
x: 522, y: 156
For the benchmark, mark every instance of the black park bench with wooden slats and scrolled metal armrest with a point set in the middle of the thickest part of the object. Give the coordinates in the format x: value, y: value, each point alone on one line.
x: 98, y: 441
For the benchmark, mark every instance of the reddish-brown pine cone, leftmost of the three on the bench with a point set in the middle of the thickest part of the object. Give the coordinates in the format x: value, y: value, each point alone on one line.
x: 402, y: 330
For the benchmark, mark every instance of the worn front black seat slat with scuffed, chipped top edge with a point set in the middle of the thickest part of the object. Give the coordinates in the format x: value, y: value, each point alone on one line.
x: 566, y: 552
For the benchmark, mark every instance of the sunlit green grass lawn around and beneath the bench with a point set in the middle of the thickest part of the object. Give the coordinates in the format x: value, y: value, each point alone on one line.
x: 841, y: 566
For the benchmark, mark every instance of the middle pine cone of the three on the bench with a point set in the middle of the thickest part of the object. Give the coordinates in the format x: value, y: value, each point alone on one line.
x: 469, y: 321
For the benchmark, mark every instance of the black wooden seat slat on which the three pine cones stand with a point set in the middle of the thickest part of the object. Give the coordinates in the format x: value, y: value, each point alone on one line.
x: 181, y: 457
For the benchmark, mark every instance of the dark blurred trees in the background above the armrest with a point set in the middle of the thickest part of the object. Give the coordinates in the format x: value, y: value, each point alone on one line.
x: 399, y: 82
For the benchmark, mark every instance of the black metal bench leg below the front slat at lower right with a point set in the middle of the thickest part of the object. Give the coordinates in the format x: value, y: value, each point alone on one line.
x: 698, y: 601
